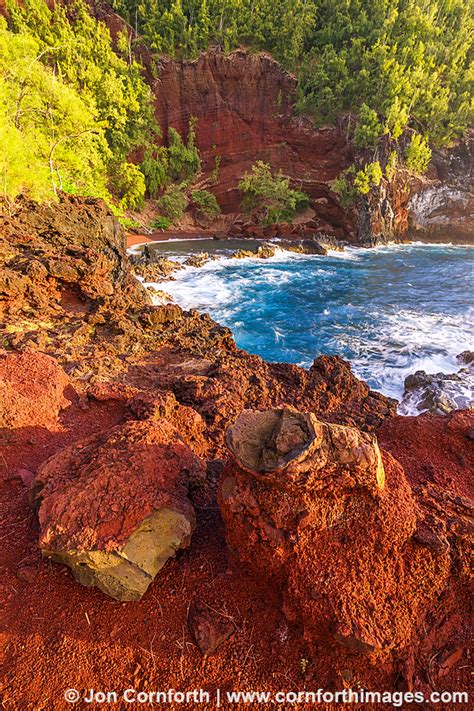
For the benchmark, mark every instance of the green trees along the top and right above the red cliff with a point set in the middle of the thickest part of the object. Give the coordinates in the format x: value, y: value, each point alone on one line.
x: 389, y: 63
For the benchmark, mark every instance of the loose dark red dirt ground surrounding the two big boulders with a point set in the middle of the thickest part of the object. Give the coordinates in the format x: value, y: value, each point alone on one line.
x: 58, y: 634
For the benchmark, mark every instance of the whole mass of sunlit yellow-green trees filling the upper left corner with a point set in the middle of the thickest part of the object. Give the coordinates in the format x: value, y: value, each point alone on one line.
x: 71, y: 109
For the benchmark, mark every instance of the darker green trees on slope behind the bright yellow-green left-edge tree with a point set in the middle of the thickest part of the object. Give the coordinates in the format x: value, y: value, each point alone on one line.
x: 79, y: 49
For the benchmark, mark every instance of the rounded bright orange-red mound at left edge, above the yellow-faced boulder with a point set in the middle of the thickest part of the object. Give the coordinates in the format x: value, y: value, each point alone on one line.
x: 32, y: 389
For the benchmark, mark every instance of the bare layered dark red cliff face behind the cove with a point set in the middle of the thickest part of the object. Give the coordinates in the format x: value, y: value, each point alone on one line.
x: 244, y: 105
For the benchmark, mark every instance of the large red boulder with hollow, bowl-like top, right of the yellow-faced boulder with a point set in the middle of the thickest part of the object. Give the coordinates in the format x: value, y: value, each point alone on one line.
x: 311, y: 507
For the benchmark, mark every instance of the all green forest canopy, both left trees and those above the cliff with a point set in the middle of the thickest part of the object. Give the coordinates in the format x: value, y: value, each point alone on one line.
x: 75, y: 109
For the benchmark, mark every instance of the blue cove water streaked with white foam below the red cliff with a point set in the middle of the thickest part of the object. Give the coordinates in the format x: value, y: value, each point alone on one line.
x: 390, y: 311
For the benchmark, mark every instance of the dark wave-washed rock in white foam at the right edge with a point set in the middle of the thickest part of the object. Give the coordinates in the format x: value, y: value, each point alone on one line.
x: 440, y: 393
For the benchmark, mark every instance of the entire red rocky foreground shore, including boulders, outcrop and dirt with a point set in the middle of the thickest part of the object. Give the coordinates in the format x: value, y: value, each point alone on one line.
x: 300, y: 517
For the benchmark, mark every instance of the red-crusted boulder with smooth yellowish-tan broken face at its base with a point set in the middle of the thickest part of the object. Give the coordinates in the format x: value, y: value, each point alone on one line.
x: 114, y: 507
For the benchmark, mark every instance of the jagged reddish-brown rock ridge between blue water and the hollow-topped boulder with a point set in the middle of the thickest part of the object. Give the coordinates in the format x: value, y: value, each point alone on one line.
x: 219, y: 391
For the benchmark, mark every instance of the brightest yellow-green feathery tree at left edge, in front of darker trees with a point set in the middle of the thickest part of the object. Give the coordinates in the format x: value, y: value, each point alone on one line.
x: 50, y: 135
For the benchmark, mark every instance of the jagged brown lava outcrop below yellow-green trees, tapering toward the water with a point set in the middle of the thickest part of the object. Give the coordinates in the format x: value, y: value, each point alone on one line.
x: 67, y: 289
